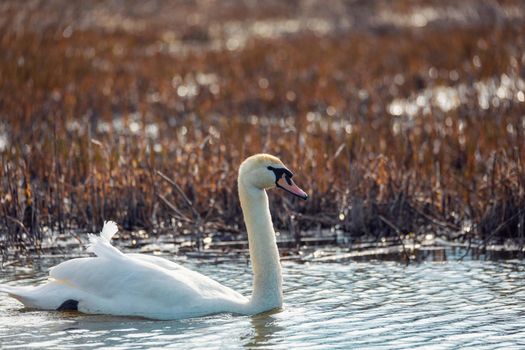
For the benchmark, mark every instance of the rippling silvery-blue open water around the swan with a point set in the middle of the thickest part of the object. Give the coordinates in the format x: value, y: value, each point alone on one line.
x: 359, y: 305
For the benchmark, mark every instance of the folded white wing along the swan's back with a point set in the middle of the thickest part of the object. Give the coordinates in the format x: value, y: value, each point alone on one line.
x: 156, y: 275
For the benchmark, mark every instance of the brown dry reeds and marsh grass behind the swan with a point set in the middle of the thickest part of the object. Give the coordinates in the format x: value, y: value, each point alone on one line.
x: 399, y: 120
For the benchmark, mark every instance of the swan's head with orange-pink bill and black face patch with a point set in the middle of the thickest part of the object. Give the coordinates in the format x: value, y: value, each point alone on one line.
x: 265, y: 171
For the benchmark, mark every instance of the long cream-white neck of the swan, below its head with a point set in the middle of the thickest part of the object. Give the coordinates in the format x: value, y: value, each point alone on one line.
x: 267, y: 277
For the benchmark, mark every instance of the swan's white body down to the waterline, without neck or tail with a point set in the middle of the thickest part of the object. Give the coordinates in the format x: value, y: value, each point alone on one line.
x: 135, y: 285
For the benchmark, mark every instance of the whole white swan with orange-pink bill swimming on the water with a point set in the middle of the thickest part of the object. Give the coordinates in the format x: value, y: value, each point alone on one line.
x: 147, y: 286
